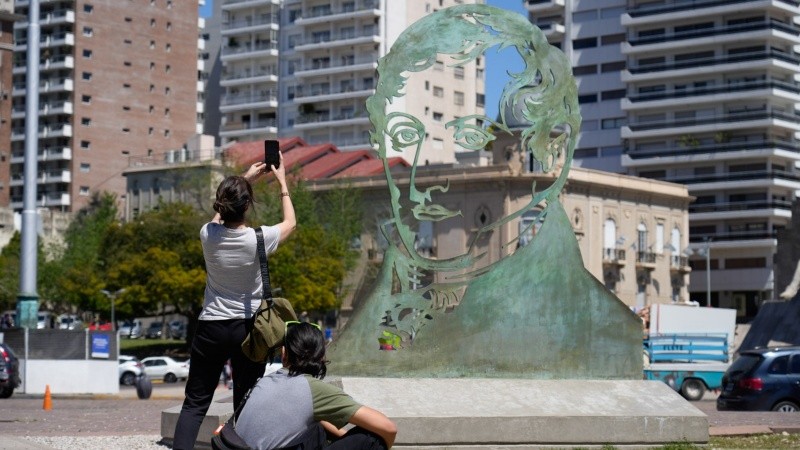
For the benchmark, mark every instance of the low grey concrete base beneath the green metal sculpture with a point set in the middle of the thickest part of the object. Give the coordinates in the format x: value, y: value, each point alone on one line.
x: 435, y: 413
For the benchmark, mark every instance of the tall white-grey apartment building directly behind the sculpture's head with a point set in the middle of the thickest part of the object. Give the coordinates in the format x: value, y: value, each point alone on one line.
x: 306, y: 67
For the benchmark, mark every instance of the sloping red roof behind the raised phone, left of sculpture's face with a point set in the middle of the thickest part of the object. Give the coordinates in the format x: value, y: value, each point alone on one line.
x: 315, y: 162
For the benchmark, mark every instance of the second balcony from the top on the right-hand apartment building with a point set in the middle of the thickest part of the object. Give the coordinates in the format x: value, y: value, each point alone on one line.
x: 716, y: 33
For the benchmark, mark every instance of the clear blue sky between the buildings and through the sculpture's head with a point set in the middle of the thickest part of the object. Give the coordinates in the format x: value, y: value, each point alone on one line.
x: 497, y: 63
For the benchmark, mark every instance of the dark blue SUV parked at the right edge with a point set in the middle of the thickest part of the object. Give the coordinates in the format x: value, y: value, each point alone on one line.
x: 766, y: 379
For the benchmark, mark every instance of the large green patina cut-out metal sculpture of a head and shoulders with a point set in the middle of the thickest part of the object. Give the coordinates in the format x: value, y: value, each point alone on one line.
x: 537, y: 313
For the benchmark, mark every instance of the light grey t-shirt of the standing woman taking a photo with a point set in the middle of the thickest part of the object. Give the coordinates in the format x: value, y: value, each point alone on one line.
x: 233, y: 272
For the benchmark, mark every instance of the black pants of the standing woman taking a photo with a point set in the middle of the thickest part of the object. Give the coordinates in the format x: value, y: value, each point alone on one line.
x: 214, y: 343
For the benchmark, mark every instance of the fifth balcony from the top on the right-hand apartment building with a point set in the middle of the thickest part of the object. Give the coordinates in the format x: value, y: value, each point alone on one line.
x: 723, y: 122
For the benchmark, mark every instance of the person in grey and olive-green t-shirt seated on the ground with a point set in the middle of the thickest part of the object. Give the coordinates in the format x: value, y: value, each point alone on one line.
x: 286, y: 410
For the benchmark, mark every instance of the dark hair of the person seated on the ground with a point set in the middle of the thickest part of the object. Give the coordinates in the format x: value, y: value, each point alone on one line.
x: 305, y: 350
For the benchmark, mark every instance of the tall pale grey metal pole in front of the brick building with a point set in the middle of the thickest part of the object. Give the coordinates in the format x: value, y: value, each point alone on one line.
x: 28, y: 299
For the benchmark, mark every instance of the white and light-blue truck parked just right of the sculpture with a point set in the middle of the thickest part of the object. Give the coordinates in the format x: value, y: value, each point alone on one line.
x: 689, y: 347
